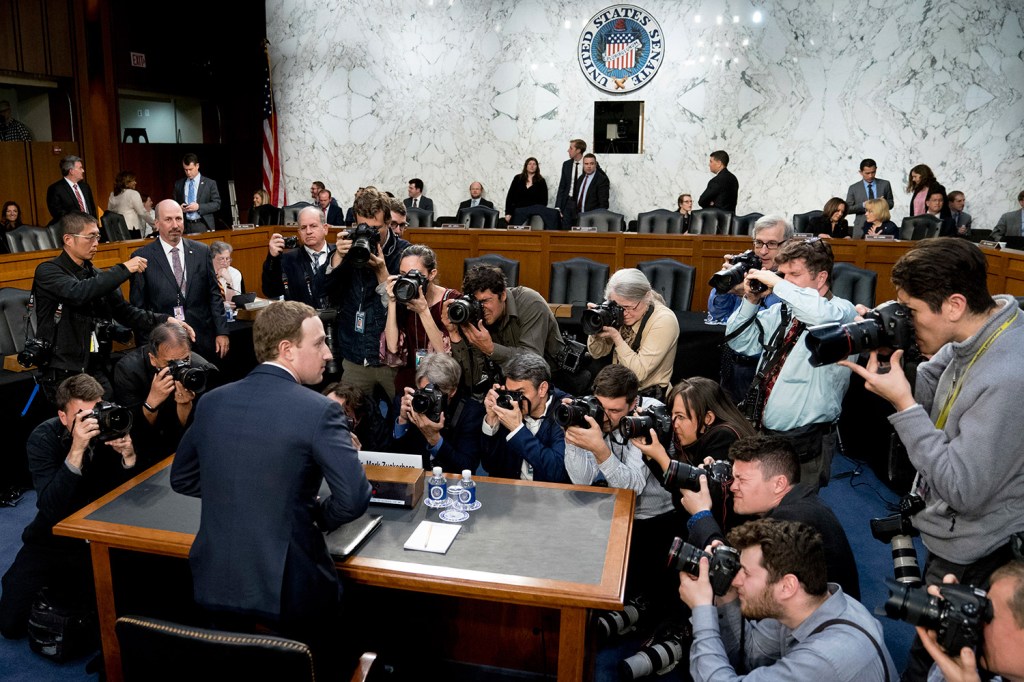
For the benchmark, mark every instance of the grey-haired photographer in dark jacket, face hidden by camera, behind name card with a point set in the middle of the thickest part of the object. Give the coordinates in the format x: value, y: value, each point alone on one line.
x: 448, y: 425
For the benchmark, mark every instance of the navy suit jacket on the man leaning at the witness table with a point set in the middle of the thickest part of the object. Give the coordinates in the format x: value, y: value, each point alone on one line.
x: 259, y: 464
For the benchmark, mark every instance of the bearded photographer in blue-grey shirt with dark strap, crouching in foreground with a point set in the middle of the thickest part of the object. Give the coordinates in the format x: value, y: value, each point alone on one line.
x: 800, y: 627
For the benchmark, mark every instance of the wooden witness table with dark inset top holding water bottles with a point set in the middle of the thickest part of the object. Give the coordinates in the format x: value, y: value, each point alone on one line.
x: 145, y: 516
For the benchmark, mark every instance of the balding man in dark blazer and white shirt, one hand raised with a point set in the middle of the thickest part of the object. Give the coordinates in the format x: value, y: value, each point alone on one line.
x: 300, y: 275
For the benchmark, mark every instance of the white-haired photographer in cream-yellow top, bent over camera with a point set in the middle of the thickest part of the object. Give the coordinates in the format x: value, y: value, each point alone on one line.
x: 647, y: 335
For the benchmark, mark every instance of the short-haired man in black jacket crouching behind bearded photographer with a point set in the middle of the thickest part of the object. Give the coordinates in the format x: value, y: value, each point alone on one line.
x: 765, y: 473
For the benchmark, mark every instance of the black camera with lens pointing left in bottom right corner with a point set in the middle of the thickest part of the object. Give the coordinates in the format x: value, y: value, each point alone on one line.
x: 957, y: 617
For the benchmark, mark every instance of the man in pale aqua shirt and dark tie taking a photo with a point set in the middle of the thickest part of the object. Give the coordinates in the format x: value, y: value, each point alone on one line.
x: 790, y: 397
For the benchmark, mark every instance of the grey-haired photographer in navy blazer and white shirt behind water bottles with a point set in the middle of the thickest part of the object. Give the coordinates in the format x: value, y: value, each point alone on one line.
x: 524, y: 441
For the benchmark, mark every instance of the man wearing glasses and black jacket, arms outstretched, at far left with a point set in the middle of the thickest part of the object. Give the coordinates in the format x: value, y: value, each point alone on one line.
x: 75, y: 305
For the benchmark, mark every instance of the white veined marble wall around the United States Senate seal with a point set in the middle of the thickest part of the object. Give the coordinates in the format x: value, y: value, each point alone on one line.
x: 797, y: 93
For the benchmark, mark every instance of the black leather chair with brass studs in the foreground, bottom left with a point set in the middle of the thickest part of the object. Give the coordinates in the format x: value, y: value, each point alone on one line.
x: 154, y: 651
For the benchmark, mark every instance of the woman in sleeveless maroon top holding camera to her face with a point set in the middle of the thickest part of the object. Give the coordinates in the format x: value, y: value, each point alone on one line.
x: 414, y: 325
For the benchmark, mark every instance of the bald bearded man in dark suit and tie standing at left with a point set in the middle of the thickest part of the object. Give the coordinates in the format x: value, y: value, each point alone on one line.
x: 181, y: 282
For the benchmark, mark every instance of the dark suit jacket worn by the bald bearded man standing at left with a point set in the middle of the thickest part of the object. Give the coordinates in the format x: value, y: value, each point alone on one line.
x: 156, y: 290
